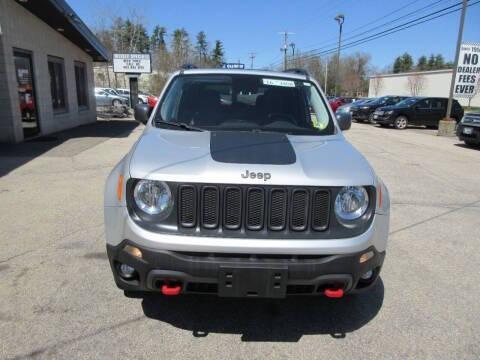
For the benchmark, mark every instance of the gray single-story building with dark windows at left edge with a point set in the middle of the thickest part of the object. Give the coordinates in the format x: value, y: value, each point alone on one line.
x: 46, y: 69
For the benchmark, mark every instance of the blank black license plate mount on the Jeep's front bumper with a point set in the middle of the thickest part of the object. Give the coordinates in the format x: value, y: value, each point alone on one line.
x: 252, y: 281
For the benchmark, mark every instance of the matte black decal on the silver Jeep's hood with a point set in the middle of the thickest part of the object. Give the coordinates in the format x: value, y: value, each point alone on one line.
x: 240, y: 147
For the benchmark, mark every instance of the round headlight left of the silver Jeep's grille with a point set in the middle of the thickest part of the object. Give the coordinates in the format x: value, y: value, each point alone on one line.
x: 153, y: 197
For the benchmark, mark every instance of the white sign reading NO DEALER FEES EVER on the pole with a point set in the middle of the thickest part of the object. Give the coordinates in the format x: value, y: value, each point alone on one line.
x: 468, y: 71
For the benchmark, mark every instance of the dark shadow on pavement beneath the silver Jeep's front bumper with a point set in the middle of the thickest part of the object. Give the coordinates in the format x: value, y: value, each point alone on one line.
x: 284, y: 320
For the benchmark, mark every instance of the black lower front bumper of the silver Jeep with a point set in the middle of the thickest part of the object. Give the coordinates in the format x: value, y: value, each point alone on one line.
x: 237, y: 275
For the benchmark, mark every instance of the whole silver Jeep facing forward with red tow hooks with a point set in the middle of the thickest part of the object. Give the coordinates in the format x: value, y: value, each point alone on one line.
x: 242, y: 185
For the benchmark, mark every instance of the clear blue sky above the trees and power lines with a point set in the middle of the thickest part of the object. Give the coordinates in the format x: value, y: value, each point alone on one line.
x: 248, y: 26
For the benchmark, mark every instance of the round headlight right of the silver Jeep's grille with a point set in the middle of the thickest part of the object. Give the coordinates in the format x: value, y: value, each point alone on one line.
x: 351, y: 203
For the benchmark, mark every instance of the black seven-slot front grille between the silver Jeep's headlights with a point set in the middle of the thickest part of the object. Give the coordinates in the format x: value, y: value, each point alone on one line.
x: 253, y: 208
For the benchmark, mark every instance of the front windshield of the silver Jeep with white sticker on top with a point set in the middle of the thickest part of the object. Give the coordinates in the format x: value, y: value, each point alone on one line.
x: 245, y: 103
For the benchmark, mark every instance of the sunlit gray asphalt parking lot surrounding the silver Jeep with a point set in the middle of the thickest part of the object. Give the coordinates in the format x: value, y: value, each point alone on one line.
x: 59, y: 299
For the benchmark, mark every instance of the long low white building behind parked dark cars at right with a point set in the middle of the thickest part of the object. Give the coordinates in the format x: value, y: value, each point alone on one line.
x: 420, y: 83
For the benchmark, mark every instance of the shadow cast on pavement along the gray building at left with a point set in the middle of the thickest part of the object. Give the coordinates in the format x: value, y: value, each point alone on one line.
x: 64, y: 143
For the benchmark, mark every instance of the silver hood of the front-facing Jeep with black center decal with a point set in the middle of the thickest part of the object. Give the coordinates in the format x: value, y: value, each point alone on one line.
x: 186, y: 156
